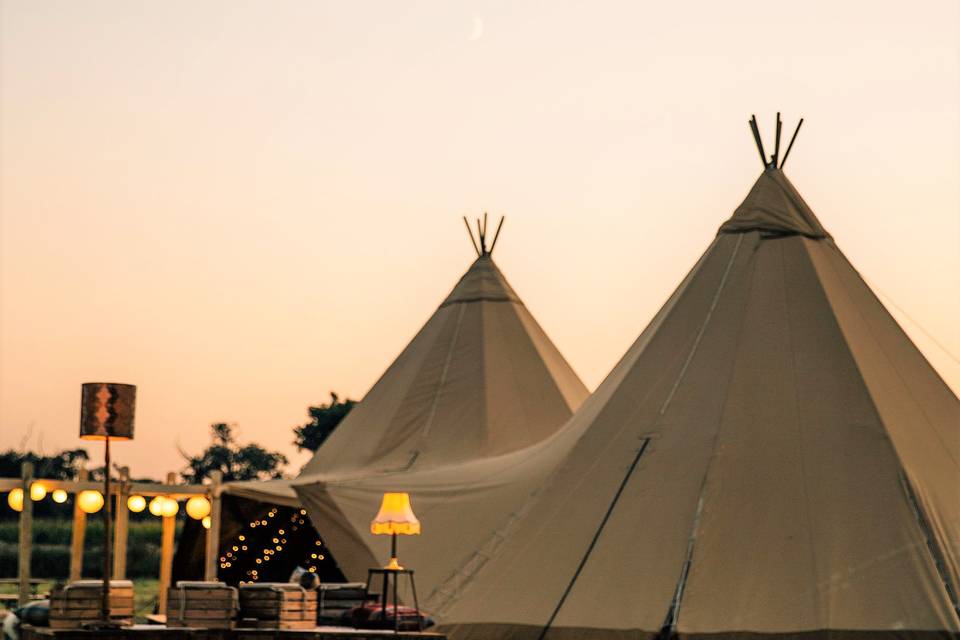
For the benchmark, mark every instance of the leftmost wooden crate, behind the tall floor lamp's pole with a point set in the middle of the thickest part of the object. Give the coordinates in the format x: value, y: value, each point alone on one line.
x: 78, y: 603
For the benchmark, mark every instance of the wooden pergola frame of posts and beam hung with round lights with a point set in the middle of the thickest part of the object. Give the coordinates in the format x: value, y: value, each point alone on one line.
x: 121, y: 491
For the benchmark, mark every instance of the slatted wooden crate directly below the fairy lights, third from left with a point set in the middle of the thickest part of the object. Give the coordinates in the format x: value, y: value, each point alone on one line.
x: 277, y: 605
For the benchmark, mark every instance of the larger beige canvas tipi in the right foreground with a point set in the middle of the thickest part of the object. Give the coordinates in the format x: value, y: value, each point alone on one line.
x: 773, y: 457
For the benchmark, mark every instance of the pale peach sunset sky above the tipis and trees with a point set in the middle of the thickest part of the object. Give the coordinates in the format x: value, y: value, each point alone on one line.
x: 241, y: 206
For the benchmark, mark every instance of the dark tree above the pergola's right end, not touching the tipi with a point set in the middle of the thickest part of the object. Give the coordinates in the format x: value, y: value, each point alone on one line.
x: 237, y: 462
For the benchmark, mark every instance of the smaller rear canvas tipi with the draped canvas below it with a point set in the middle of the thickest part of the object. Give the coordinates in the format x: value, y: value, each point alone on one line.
x: 480, y: 382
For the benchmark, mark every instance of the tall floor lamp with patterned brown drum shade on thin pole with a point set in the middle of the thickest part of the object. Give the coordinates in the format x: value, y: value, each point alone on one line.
x: 106, y: 412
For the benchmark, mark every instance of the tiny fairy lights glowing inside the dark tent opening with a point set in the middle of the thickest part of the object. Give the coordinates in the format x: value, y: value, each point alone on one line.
x: 272, y: 532
